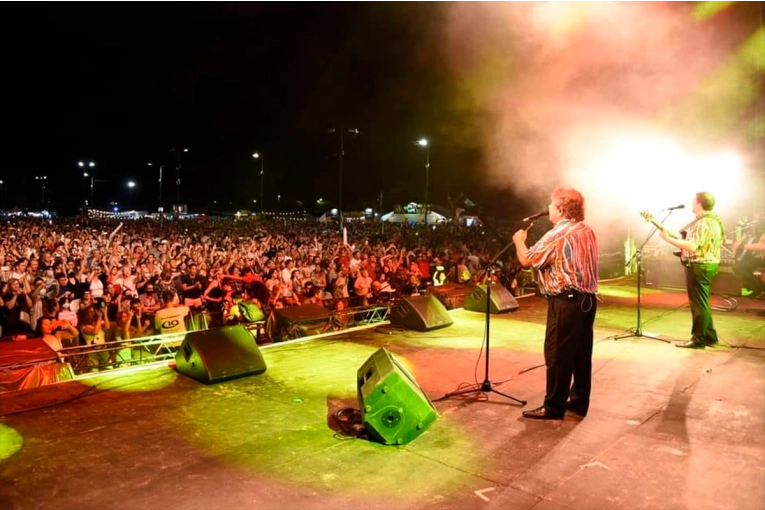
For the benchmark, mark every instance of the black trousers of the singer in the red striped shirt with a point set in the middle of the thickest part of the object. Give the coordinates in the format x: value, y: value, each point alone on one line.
x: 568, y: 350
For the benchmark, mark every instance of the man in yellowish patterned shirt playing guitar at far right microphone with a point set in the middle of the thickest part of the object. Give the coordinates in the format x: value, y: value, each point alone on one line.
x: 701, y: 258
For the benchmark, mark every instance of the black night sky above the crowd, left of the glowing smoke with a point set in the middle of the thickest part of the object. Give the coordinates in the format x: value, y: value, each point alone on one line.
x: 120, y: 84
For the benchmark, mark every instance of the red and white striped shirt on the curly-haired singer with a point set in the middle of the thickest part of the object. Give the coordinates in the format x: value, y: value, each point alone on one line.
x: 565, y: 258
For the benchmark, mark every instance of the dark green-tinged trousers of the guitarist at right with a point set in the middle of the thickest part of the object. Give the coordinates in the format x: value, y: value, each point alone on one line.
x: 698, y: 281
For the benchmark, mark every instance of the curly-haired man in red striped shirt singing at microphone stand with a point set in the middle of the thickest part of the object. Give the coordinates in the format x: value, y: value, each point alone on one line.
x: 565, y: 260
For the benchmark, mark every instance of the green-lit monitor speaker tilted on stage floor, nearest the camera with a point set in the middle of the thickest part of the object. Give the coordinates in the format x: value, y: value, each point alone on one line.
x: 394, y: 408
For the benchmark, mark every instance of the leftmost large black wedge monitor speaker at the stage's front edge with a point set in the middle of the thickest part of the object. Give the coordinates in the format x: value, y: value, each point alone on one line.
x: 214, y: 355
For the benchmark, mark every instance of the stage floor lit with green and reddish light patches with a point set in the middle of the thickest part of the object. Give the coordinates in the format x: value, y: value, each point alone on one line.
x: 668, y: 428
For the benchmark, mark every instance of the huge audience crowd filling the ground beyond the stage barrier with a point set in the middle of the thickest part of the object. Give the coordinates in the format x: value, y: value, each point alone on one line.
x: 80, y: 283
